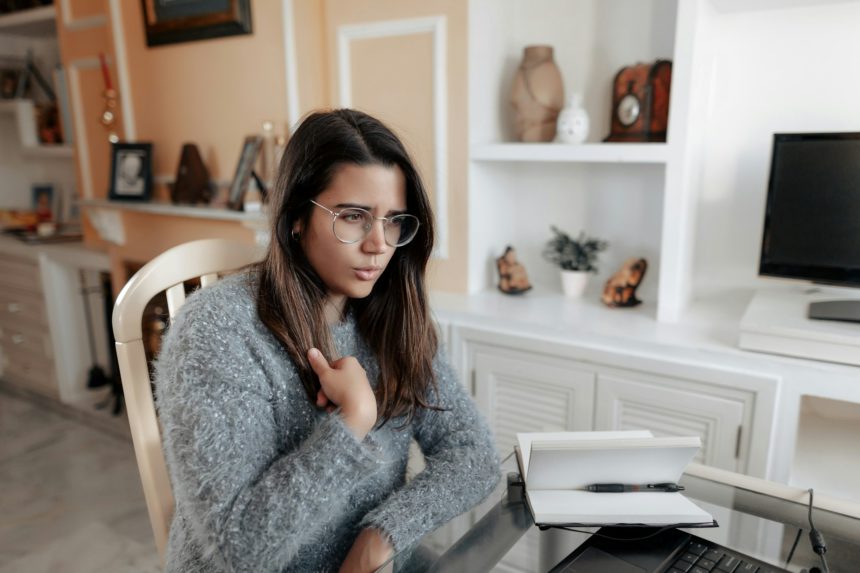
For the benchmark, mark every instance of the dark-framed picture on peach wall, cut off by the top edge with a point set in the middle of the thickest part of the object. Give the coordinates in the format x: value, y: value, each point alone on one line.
x: 174, y: 22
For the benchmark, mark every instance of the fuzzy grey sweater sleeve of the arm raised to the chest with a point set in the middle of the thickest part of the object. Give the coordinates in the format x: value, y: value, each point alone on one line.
x: 251, y: 504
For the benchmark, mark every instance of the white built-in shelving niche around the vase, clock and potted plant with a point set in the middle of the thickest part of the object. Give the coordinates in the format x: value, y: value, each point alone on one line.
x: 518, y: 190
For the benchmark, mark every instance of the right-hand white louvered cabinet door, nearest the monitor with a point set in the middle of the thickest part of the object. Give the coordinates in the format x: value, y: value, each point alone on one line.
x: 674, y: 407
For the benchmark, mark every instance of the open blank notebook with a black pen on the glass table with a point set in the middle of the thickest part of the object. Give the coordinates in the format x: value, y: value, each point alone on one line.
x: 557, y: 466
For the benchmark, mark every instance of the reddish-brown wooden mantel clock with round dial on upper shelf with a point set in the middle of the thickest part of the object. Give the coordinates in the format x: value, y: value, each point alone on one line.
x: 640, y: 102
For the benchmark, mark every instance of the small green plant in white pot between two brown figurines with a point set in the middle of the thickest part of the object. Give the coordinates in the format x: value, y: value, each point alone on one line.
x: 575, y: 257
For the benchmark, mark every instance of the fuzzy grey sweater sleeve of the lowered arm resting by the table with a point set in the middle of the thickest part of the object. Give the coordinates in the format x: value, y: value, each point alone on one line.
x: 462, y: 466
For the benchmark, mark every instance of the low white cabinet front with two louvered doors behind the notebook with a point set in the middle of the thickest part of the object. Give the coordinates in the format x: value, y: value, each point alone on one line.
x: 525, y: 384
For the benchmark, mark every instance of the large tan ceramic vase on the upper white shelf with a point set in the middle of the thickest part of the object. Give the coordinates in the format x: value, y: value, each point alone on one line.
x: 537, y: 95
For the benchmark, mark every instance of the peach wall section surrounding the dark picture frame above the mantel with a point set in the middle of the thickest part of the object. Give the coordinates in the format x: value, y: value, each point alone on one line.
x: 209, y: 92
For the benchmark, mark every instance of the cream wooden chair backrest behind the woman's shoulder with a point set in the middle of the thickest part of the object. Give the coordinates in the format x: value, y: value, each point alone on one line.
x: 202, y: 259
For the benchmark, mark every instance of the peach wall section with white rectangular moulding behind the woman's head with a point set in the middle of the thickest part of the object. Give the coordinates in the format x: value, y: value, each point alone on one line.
x: 392, y: 97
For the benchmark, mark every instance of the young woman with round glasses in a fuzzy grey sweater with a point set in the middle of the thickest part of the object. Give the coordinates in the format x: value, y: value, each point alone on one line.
x: 289, y: 394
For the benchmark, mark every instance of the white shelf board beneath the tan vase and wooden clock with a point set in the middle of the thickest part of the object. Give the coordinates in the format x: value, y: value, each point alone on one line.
x: 583, y: 153
